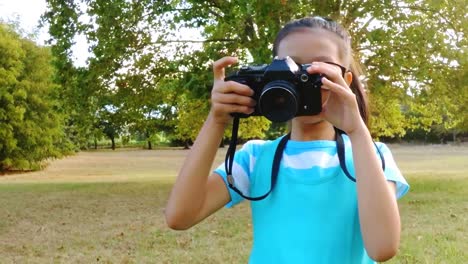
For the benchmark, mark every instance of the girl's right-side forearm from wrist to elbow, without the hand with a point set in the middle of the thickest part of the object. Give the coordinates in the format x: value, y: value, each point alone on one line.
x: 378, y: 209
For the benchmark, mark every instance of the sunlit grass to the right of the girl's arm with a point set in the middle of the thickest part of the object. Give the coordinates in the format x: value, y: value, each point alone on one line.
x: 435, y: 211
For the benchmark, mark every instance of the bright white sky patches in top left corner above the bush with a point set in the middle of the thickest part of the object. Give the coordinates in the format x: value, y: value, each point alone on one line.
x: 28, y: 13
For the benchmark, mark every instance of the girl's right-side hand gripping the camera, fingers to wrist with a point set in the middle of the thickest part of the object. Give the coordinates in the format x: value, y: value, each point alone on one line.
x: 340, y: 107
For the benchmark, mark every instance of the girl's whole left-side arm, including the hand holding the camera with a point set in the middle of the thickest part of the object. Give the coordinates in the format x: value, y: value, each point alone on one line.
x: 196, y: 195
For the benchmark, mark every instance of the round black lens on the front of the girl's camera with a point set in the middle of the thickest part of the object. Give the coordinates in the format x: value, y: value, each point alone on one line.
x: 278, y: 101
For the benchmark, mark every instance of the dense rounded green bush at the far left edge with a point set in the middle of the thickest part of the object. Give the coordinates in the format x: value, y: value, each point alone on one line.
x: 30, y: 127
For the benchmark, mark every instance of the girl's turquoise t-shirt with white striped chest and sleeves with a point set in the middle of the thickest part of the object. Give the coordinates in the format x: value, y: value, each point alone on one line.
x: 311, y: 216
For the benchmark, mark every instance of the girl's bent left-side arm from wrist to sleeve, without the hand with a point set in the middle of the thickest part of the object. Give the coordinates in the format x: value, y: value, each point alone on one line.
x: 196, y: 195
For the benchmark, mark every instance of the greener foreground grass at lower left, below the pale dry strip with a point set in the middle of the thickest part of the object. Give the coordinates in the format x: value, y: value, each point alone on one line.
x: 105, y: 223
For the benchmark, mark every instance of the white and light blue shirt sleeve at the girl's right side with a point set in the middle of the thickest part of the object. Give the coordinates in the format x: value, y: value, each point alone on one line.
x: 392, y: 172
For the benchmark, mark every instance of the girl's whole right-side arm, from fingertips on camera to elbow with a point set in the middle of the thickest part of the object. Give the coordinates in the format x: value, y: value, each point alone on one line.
x: 378, y: 209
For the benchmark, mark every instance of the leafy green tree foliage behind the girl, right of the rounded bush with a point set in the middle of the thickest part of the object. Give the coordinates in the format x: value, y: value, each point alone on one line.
x: 159, y: 80
